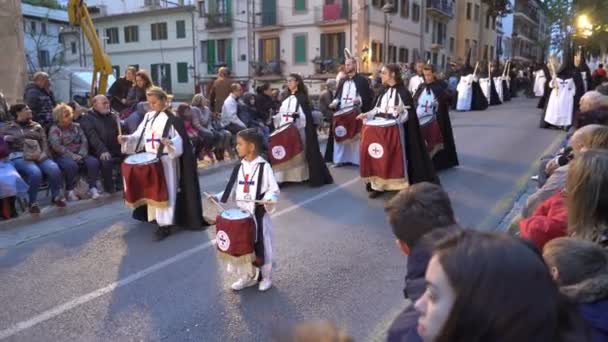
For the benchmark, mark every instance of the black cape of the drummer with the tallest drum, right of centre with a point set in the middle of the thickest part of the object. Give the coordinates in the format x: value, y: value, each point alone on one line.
x: 419, y: 165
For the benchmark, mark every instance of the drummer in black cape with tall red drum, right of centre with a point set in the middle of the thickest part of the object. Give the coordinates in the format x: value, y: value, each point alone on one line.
x: 383, y: 152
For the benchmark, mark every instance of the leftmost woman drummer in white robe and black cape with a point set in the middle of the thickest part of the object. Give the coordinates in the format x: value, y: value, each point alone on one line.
x: 163, y: 134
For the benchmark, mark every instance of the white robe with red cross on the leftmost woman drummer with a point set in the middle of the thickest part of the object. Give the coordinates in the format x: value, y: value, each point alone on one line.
x: 151, y: 141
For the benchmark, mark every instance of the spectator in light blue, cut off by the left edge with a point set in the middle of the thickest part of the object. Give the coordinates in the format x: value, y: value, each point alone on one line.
x: 11, y: 184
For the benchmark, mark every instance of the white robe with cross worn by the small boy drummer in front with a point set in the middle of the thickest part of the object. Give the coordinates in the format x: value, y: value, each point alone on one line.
x: 270, y: 189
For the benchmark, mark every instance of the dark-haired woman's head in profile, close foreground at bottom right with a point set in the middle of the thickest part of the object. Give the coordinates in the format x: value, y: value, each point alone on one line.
x: 488, y: 287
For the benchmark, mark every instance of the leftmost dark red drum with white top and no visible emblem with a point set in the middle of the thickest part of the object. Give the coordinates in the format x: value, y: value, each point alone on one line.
x: 144, y: 181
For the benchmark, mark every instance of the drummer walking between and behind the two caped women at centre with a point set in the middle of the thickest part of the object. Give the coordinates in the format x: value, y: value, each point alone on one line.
x: 353, y: 92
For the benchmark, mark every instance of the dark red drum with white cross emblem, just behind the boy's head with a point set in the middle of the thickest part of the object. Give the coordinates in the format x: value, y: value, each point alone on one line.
x: 285, y: 147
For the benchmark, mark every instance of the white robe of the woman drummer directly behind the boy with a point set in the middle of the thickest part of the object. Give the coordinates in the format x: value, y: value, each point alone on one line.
x: 288, y: 106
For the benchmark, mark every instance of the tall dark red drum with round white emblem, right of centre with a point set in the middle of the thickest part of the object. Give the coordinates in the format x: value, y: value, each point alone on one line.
x: 382, y: 155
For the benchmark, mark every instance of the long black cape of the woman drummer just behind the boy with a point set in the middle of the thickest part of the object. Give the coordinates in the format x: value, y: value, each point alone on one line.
x: 319, y: 174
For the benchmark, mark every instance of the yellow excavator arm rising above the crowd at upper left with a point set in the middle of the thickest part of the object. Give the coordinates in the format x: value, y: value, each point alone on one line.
x: 102, y: 67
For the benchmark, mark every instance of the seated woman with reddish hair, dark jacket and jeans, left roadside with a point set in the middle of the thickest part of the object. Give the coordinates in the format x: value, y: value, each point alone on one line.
x: 70, y: 150
